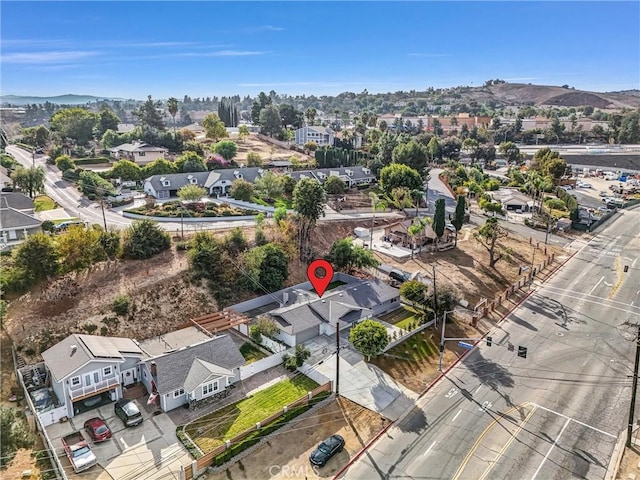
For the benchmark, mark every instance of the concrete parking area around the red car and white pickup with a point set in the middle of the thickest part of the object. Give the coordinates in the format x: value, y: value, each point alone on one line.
x: 150, y: 450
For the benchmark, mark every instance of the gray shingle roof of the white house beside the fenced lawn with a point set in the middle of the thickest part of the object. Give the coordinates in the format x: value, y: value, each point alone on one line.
x: 195, y: 363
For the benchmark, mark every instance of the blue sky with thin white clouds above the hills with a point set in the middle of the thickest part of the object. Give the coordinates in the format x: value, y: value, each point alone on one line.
x: 133, y: 49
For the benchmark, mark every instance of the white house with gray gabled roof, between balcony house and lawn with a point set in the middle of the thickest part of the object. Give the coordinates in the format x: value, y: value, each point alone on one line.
x: 191, y: 373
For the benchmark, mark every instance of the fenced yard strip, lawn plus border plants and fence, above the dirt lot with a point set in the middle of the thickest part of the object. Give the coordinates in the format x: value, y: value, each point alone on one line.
x: 226, y: 432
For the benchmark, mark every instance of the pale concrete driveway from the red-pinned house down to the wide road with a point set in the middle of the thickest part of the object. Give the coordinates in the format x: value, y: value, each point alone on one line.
x: 360, y: 382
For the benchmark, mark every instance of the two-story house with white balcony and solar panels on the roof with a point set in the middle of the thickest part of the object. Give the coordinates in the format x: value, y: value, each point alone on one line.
x: 86, y: 366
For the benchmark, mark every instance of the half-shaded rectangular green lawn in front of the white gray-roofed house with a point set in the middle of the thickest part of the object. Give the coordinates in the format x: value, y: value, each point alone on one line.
x: 234, y: 419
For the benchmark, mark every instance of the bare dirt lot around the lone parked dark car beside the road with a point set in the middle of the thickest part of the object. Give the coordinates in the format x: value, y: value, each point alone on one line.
x: 286, y: 455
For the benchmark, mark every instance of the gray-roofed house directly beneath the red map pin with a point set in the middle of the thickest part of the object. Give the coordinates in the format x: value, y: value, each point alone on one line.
x: 303, y: 315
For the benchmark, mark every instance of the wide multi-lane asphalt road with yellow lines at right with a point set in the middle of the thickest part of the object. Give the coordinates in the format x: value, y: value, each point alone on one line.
x: 553, y: 415
